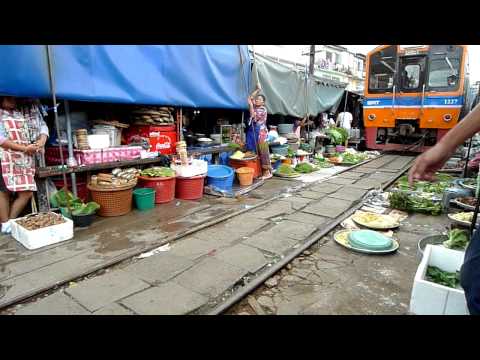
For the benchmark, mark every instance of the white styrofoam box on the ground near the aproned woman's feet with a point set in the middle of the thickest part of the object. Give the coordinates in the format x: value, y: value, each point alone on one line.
x: 35, y: 239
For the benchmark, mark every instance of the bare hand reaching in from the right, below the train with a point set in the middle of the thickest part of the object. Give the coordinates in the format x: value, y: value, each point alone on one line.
x: 428, y: 163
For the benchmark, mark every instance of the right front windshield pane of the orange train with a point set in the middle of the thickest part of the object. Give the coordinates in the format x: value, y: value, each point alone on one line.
x: 444, y: 73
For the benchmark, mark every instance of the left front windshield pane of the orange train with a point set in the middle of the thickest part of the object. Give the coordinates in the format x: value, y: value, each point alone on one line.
x: 382, y: 70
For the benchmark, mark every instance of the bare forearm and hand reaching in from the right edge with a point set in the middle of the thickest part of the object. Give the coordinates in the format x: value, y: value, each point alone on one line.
x: 429, y: 162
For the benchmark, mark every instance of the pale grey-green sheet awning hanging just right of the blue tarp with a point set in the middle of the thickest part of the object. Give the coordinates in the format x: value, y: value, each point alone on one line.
x: 284, y: 89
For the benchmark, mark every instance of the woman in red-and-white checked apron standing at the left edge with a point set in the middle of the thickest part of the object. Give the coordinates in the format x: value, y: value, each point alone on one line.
x: 23, y: 133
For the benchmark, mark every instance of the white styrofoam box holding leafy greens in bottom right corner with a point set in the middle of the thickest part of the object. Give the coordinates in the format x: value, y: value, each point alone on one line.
x: 429, y: 298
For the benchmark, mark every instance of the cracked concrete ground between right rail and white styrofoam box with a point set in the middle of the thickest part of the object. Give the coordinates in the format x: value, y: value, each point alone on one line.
x: 329, y: 279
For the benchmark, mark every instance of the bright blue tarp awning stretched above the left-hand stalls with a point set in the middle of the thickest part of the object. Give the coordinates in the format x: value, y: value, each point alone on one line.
x: 202, y: 76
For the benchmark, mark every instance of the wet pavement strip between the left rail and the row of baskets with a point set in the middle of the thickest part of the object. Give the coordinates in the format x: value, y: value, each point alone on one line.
x: 24, y: 273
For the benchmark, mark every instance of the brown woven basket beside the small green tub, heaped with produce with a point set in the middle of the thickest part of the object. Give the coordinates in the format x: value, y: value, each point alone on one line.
x: 113, y: 201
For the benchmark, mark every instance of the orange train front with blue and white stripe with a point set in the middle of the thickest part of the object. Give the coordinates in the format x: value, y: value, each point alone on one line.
x: 413, y: 95
